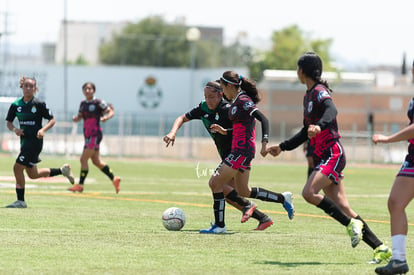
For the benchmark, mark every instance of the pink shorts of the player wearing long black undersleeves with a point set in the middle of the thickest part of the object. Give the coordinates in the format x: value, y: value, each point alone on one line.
x: 333, y: 163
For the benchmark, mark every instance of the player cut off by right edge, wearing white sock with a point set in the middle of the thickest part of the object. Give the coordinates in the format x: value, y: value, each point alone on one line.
x: 401, y: 194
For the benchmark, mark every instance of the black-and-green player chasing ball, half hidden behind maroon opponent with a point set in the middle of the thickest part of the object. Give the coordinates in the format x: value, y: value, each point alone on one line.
x: 214, y: 111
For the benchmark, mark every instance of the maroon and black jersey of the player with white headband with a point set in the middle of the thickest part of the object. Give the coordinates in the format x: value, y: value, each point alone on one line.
x: 240, y: 114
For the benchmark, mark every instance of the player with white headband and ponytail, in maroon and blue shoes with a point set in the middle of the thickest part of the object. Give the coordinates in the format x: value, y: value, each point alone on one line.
x: 243, y: 113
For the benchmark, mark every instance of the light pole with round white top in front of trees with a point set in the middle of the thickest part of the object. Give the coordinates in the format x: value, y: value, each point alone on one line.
x: 193, y: 35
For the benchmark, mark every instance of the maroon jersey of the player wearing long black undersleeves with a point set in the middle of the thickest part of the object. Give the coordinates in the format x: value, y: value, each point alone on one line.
x: 313, y: 110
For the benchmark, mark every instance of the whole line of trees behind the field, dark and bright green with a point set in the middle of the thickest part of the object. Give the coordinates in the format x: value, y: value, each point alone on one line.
x: 156, y: 43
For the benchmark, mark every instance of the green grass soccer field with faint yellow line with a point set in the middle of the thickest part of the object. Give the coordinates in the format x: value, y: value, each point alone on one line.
x: 100, y: 232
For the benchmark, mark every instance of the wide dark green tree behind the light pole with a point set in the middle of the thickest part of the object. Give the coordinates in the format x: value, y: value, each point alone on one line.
x: 153, y: 42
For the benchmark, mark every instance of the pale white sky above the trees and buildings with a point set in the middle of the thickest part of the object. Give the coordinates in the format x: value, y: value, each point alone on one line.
x: 364, y: 32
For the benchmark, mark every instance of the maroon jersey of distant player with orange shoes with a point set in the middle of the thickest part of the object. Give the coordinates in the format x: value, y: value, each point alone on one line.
x: 91, y: 113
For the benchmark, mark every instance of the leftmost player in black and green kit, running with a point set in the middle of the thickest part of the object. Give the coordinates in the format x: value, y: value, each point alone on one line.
x: 30, y: 111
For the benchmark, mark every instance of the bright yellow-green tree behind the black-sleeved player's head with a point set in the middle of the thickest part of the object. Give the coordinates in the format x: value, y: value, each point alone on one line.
x: 287, y: 45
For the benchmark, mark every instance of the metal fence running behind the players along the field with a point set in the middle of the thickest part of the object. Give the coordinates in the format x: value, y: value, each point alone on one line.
x: 139, y: 135
